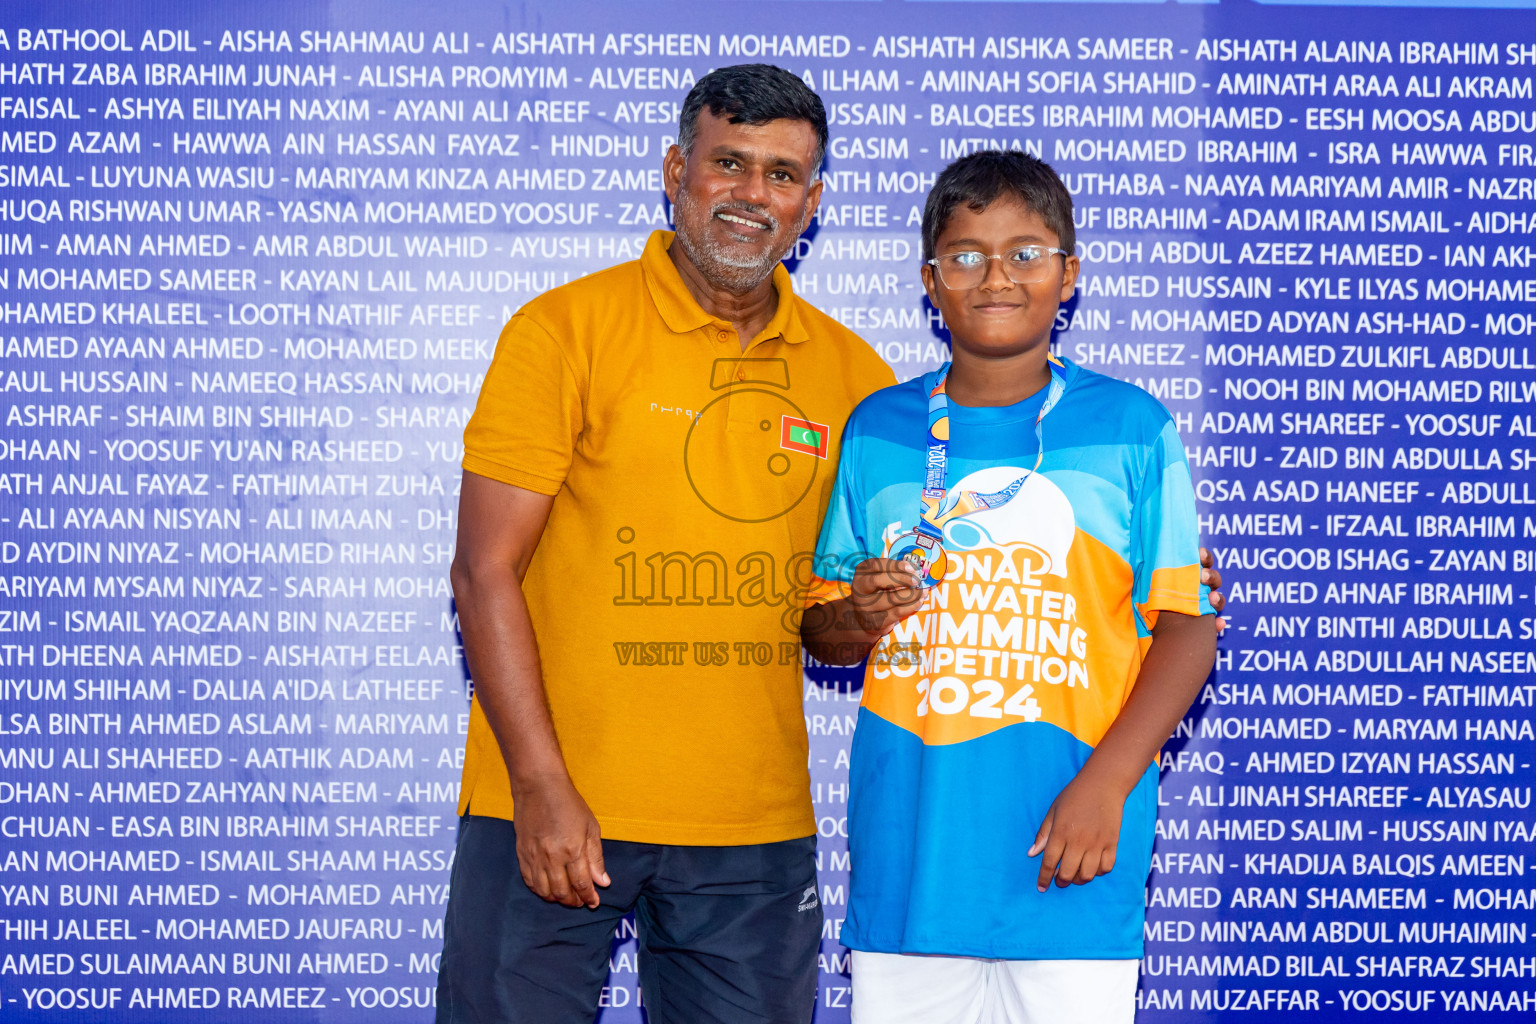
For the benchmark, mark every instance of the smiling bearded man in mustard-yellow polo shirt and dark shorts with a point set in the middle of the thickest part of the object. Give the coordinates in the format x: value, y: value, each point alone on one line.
x: 644, y: 481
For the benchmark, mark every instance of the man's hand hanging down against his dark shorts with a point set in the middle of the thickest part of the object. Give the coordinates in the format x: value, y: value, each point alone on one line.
x: 560, y: 845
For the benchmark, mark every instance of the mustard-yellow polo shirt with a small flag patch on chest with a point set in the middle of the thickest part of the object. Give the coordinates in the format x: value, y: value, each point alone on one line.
x: 689, y: 483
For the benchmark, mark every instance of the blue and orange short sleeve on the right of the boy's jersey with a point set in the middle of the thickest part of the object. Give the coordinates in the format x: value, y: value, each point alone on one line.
x: 1165, y: 535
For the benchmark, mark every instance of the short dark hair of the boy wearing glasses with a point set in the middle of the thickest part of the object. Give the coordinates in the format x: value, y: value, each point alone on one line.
x: 988, y: 176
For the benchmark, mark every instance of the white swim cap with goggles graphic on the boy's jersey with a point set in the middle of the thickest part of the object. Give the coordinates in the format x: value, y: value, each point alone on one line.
x: 1038, y: 518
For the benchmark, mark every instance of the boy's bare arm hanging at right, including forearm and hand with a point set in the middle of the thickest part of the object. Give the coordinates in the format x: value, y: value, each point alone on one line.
x: 1082, y: 828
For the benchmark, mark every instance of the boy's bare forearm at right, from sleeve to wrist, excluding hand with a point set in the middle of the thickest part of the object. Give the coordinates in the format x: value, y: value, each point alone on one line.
x: 1176, y: 666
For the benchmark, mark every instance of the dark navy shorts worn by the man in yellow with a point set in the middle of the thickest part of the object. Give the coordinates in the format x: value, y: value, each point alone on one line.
x: 726, y: 934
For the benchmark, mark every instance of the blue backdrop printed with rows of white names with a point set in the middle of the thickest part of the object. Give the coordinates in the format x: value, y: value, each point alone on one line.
x: 253, y: 265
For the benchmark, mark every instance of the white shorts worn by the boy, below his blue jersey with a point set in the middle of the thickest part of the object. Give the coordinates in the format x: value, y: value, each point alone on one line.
x: 901, y: 989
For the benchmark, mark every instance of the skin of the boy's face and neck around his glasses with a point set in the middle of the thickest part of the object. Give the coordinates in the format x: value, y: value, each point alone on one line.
x: 1001, y: 328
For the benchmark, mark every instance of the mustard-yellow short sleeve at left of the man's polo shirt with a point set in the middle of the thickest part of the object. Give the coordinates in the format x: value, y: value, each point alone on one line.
x: 529, y: 415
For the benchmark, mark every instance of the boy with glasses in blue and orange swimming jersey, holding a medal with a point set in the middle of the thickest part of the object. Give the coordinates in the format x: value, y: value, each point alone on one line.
x: 1013, y: 544
